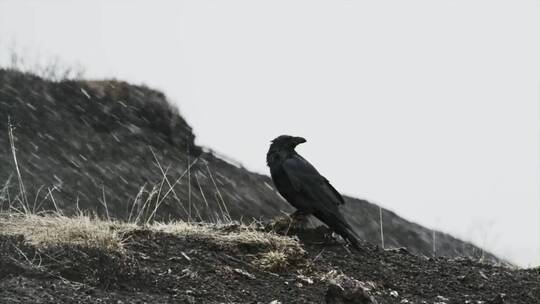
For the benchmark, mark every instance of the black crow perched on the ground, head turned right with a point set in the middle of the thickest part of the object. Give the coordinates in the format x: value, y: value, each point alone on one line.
x: 305, y: 188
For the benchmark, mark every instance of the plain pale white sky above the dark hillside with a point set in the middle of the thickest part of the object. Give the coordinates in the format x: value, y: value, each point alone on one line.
x: 429, y: 108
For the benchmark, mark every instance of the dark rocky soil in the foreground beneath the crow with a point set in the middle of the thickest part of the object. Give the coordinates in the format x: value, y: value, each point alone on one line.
x: 308, y: 266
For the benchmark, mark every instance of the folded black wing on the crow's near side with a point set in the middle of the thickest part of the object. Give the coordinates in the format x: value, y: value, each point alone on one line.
x: 307, y: 180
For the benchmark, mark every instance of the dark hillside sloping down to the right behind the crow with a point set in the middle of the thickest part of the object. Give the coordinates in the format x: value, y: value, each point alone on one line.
x: 106, y: 146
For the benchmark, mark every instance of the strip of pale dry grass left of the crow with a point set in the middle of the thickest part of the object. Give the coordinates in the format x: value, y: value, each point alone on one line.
x: 276, y: 252
